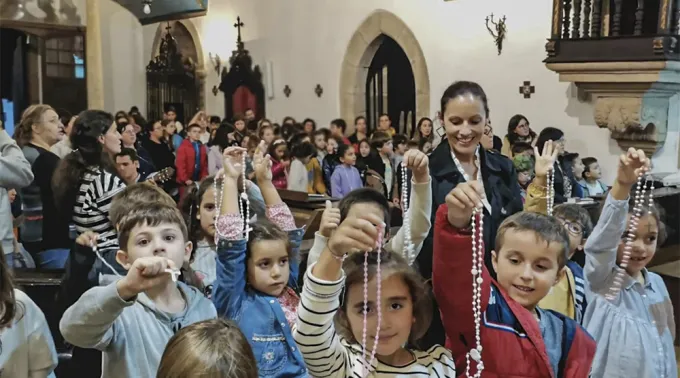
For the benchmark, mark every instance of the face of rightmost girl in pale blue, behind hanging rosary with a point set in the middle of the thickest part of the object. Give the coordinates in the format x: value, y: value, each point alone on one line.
x: 644, y: 244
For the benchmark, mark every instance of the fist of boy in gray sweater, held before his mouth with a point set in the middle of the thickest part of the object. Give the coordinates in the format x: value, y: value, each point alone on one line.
x: 144, y: 274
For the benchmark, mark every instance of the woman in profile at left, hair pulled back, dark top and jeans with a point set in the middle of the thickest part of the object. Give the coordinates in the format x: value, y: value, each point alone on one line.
x: 43, y: 234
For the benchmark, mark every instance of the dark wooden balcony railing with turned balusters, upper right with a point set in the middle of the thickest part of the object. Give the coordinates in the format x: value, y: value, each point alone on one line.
x: 614, y: 30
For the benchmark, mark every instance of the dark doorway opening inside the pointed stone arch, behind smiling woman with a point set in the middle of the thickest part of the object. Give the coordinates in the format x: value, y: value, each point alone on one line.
x: 391, y: 87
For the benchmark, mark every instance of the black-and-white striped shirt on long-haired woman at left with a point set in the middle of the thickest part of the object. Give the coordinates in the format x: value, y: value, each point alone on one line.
x: 91, y: 211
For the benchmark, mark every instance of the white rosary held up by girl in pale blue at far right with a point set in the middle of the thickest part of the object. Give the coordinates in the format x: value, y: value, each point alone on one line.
x: 638, y: 203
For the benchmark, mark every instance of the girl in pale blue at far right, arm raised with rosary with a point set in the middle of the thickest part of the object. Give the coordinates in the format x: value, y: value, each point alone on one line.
x: 635, y: 331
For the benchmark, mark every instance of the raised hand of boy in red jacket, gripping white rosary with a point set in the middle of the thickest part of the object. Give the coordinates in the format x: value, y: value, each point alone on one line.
x: 462, y: 201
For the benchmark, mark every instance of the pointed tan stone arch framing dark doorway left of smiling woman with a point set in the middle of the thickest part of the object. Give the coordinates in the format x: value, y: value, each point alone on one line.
x: 359, y: 54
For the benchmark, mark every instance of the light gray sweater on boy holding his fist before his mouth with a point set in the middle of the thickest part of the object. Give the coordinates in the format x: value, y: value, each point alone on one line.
x: 131, y: 334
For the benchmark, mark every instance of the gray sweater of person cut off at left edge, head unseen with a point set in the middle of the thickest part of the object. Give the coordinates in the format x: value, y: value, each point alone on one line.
x: 15, y: 173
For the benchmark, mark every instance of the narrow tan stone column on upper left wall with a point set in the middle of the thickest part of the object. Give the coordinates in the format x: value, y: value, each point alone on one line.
x: 93, y: 48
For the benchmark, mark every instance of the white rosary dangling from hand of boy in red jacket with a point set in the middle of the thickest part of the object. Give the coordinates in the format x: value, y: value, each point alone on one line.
x: 477, y: 280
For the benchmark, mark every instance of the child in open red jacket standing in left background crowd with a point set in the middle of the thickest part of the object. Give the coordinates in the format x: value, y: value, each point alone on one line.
x: 191, y: 169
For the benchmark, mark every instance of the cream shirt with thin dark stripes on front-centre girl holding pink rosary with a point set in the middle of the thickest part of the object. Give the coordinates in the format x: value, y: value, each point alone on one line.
x: 329, y: 355
